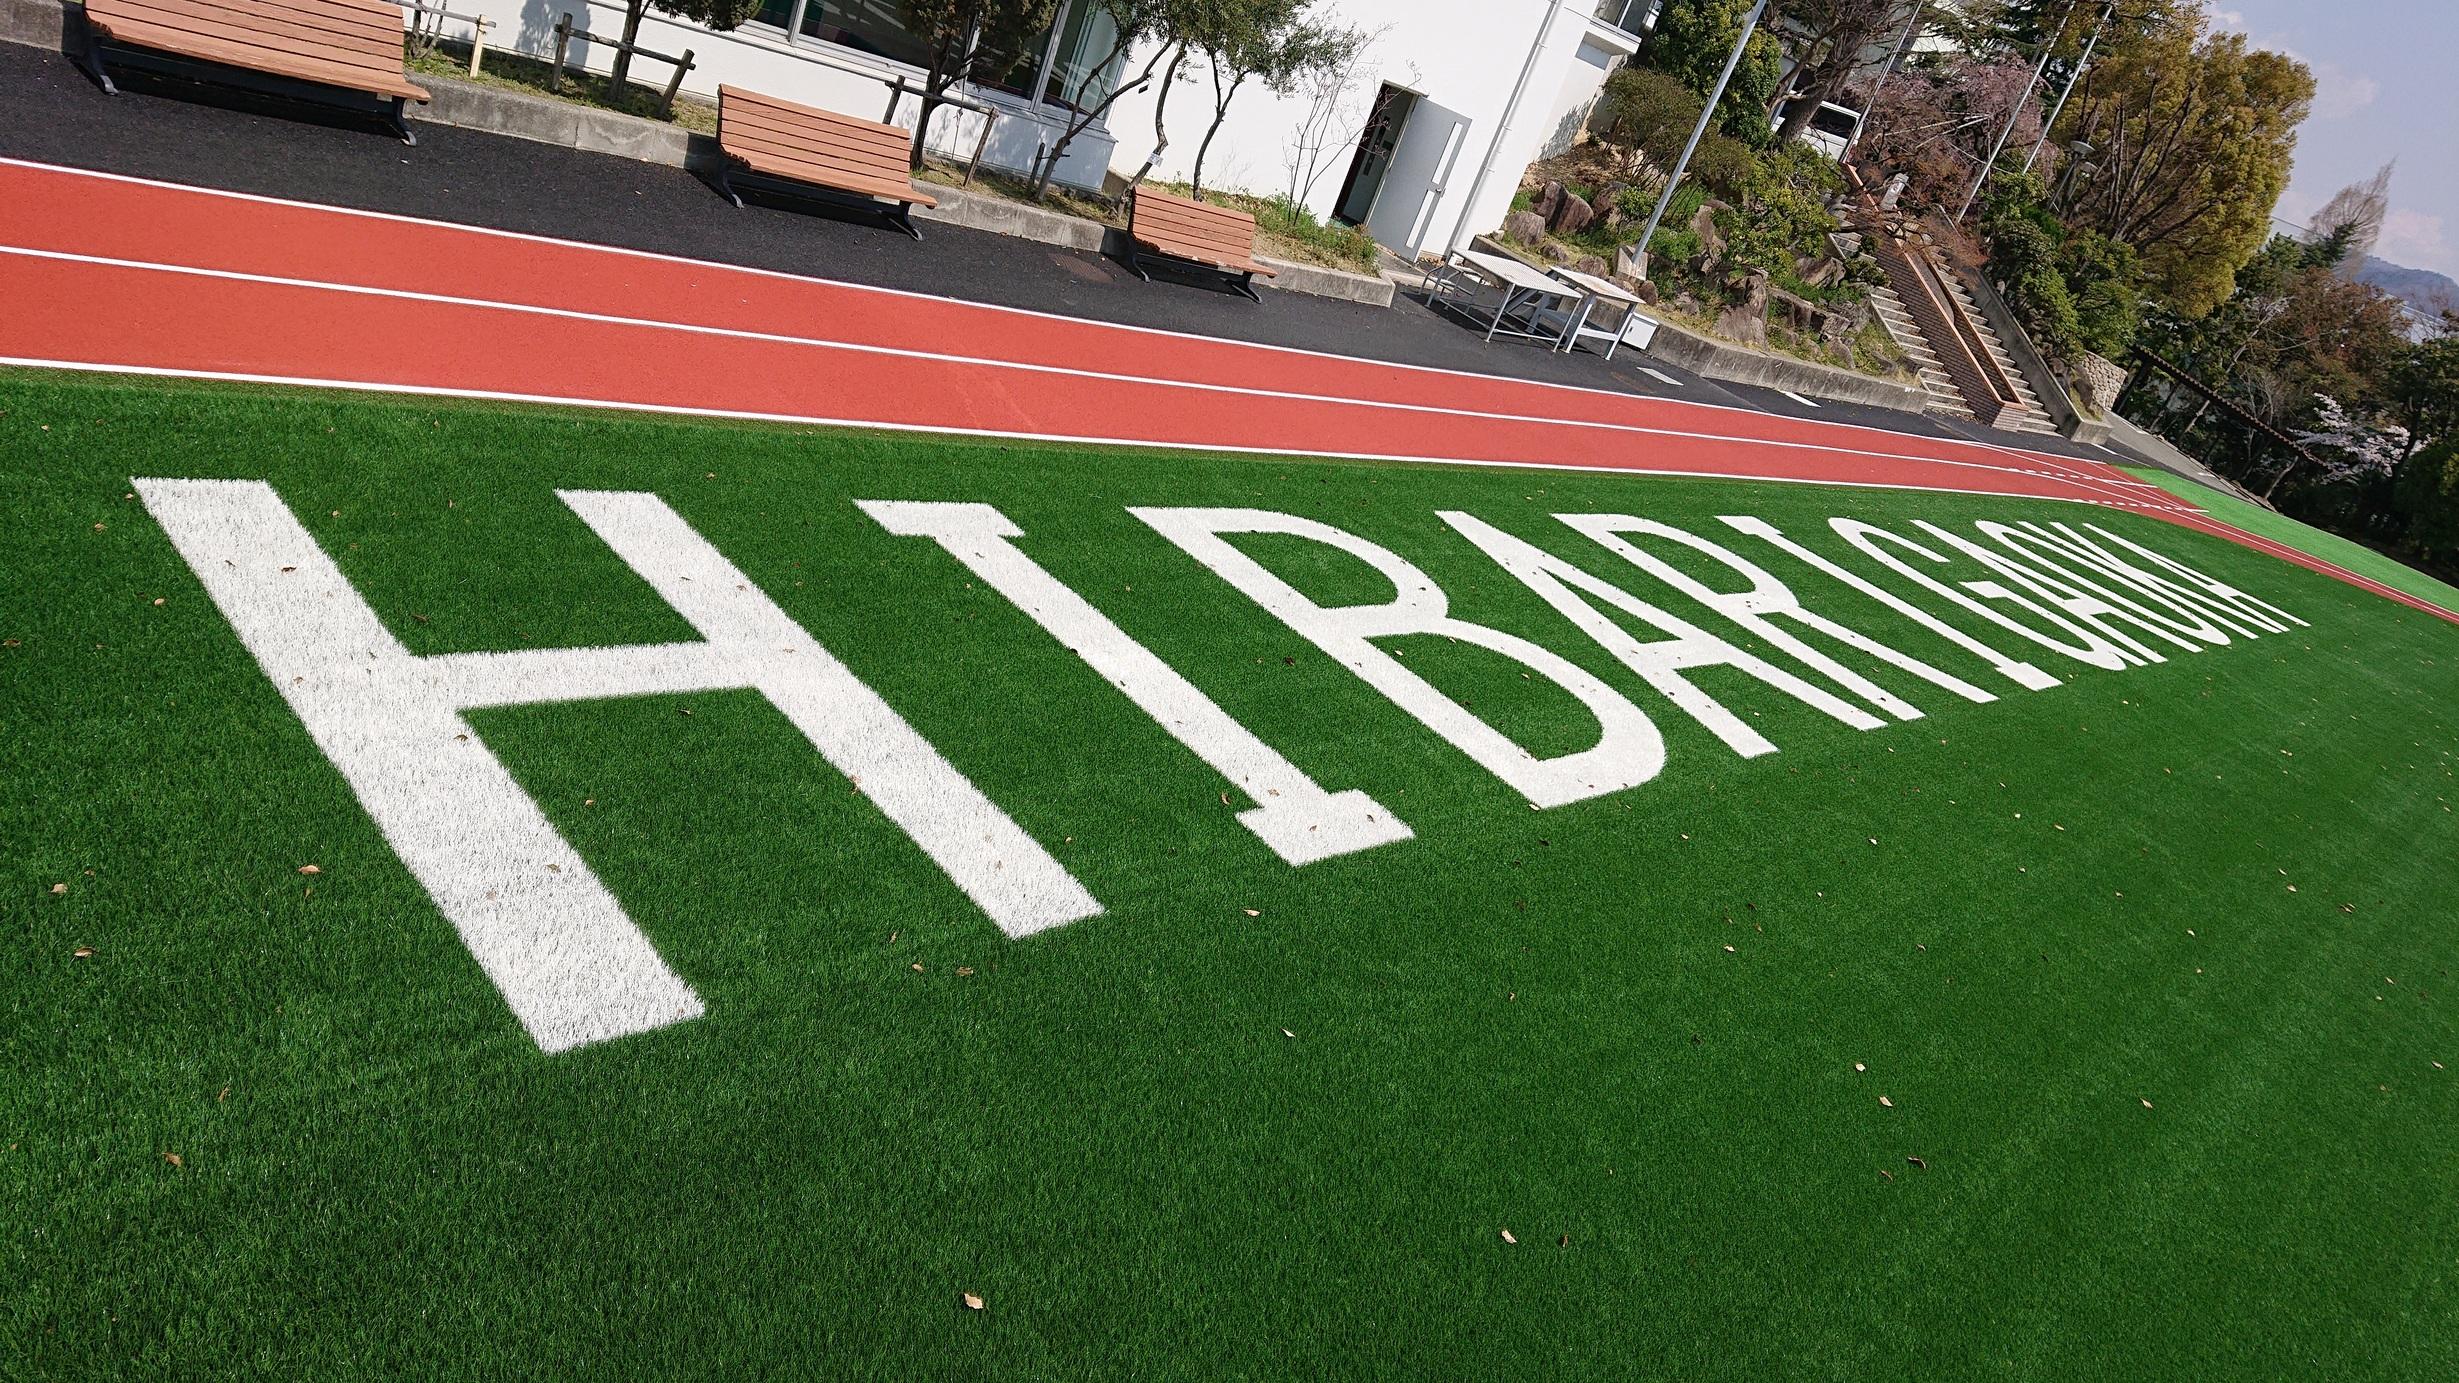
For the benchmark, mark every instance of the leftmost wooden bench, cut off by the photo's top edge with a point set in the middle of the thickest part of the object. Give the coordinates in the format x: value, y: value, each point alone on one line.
x: 282, y: 48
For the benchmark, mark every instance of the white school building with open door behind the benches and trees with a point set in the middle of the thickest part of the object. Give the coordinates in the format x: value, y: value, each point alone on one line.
x: 1450, y: 107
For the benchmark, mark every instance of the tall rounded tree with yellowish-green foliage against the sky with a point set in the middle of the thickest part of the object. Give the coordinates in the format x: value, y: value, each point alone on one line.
x: 2192, y: 141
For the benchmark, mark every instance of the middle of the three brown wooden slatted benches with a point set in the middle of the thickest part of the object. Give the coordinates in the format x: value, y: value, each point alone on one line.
x: 800, y: 149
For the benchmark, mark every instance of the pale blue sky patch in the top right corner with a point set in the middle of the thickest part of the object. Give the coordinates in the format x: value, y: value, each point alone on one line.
x: 2384, y: 90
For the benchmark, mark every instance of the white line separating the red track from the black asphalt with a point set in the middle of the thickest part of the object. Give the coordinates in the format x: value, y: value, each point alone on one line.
x: 941, y: 299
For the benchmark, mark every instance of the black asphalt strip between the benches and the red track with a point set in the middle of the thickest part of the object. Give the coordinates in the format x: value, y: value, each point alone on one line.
x: 191, y: 134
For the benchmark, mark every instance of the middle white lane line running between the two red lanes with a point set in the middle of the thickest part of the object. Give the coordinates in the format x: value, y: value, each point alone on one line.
x: 987, y: 363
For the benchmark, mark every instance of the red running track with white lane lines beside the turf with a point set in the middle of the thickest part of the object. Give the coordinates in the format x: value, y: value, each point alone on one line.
x: 127, y: 274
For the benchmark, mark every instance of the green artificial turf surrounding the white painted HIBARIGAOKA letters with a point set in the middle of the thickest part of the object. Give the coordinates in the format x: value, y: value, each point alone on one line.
x: 2079, y: 1035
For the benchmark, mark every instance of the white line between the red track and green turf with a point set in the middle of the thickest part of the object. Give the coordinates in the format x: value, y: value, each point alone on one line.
x: 1007, y: 434
